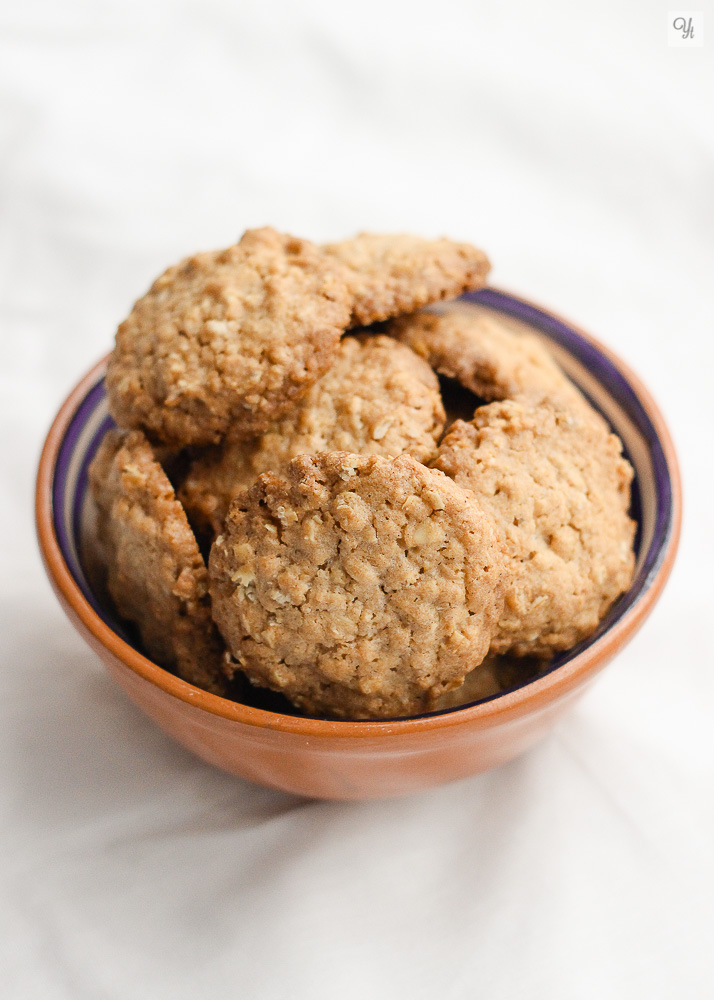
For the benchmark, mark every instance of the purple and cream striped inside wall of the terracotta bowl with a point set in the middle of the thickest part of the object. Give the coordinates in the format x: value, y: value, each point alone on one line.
x: 599, y: 378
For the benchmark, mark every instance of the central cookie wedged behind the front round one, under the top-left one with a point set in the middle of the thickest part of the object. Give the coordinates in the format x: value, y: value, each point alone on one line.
x: 379, y: 398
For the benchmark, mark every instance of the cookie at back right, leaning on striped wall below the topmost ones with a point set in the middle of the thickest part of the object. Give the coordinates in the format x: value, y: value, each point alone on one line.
x: 486, y: 356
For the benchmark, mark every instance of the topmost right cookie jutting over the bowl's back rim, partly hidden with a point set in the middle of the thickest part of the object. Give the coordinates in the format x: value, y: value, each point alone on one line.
x: 389, y: 275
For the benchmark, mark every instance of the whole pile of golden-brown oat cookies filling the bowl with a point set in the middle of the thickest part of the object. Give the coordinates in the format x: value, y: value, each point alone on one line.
x: 362, y: 562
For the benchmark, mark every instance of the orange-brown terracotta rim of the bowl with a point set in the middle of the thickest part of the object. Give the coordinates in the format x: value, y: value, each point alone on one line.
x: 513, y: 704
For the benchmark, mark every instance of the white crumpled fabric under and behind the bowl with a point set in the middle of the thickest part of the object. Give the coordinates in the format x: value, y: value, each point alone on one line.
x: 578, y: 149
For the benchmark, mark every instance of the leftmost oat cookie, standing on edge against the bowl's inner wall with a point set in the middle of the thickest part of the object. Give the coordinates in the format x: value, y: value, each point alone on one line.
x: 155, y: 573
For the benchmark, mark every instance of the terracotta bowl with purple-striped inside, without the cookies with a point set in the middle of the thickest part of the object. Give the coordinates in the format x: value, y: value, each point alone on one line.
x: 363, y: 759
